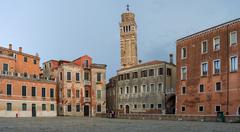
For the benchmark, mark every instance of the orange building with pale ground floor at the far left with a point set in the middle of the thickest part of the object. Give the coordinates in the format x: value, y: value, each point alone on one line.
x: 23, y: 92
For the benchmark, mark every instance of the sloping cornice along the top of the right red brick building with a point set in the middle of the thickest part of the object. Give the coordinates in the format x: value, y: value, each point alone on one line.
x: 208, y: 29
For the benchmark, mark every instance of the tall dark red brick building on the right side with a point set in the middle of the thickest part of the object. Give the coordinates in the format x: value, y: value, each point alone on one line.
x: 208, y: 71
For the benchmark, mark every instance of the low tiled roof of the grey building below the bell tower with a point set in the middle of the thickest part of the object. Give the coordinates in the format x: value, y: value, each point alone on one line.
x: 154, y: 62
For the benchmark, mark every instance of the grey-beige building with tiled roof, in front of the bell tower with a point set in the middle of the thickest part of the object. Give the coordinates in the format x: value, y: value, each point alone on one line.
x: 147, y: 88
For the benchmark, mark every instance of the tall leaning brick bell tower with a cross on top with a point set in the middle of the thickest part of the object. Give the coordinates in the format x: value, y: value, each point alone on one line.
x: 128, y: 39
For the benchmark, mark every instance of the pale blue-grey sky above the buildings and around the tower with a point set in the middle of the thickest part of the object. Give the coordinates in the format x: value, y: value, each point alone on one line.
x: 68, y: 29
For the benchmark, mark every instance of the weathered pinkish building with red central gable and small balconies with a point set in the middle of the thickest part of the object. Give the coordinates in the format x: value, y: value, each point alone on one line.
x: 81, y: 86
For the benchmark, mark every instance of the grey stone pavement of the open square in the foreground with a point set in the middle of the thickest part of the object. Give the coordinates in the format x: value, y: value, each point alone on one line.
x: 78, y: 124
